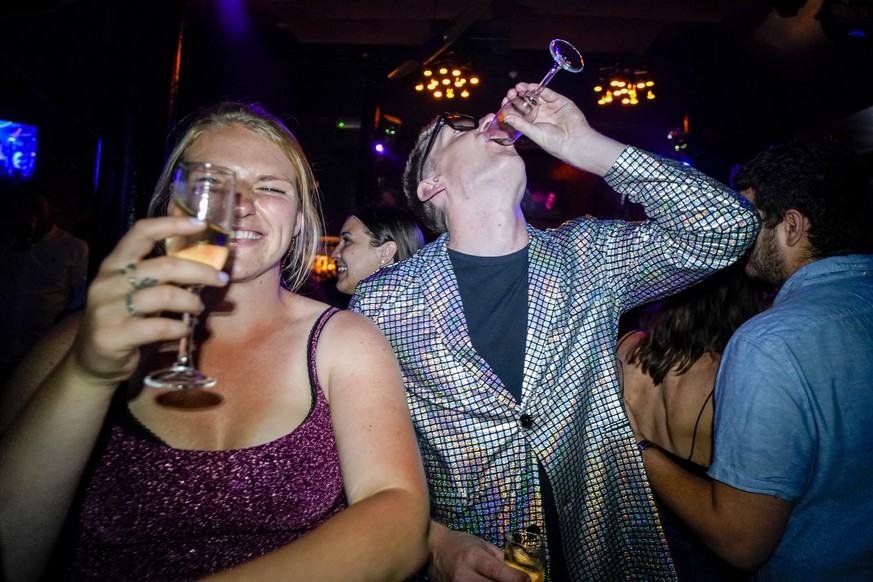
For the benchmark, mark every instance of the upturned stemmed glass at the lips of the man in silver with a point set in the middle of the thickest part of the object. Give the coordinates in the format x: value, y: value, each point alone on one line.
x: 566, y: 58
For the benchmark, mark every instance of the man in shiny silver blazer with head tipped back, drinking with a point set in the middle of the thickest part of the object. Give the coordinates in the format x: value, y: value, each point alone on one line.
x: 506, y: 338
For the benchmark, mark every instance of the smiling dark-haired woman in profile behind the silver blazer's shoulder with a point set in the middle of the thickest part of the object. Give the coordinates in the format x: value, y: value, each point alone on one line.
x: 372, y: 237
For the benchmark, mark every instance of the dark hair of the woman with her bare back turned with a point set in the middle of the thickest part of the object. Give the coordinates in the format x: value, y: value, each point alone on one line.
x: 699, y: 320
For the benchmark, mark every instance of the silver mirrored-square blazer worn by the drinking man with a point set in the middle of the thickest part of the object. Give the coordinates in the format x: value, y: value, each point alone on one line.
x: 479, y: 446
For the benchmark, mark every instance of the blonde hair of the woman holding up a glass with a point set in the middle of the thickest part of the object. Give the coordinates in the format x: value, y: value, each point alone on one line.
x: 297, y: 264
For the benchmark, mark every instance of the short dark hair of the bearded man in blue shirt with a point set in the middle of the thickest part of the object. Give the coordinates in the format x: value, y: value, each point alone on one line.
x: 823, y: 180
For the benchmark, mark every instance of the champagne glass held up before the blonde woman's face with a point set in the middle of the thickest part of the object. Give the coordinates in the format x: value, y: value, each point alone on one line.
x: 206, y: 192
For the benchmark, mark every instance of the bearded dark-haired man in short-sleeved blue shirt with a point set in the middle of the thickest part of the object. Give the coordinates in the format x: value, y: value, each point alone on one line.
x: 791, y: 491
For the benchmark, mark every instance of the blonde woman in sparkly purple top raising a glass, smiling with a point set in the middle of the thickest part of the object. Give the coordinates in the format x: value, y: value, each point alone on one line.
x: 307, y: 470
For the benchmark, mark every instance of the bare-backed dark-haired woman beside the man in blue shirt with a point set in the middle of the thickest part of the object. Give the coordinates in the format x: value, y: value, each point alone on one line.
x: 668, y: 368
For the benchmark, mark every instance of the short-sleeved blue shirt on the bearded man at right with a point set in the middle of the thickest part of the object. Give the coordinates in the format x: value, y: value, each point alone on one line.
x: 794, y: 418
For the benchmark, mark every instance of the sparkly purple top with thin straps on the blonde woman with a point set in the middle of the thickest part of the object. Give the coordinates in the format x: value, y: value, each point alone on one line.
x: 152, y: 512
